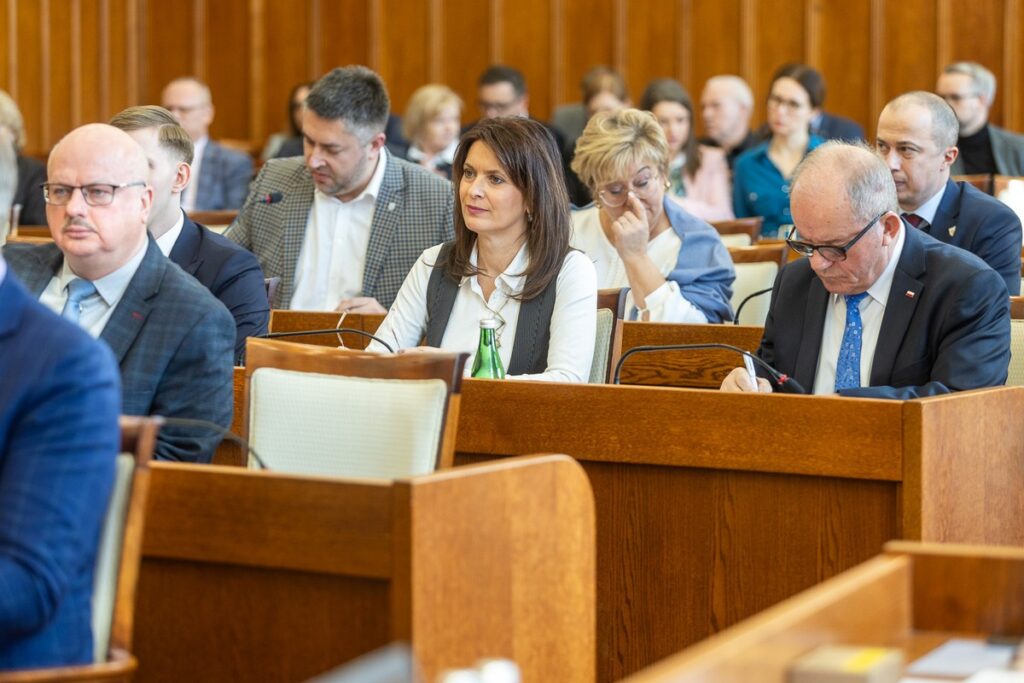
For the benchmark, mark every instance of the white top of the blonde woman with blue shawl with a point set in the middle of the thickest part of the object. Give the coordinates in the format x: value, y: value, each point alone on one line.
x: 666, y: 305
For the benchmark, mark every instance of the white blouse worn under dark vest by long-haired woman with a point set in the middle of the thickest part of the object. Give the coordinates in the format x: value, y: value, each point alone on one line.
x: 574, y: 321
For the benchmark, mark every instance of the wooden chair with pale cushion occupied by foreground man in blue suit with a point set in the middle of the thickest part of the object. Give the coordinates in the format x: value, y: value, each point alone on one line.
x: 116, y: 575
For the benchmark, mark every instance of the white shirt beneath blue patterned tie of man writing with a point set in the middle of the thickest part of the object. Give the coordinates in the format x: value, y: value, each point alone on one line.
x: 873, y: 309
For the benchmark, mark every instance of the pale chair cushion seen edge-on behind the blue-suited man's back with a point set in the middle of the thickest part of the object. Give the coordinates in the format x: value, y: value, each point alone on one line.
x: 105, y: 581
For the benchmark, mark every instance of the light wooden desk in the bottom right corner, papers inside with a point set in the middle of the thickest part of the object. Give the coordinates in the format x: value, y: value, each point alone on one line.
x: 914, y: 597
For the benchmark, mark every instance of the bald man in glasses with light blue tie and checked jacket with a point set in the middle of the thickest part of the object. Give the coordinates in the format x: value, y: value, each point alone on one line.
x: 173, y: 338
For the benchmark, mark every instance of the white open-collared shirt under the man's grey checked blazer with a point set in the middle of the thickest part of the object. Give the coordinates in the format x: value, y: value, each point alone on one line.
x: 334, y: 249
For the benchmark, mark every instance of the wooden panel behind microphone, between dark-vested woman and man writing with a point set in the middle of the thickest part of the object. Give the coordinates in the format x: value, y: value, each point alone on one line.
x: 695, y: 369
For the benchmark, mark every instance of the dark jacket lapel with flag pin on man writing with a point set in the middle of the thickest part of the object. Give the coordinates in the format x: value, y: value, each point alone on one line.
x: 904, y: 298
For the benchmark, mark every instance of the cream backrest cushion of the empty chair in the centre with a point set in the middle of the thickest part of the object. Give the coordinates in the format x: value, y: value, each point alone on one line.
x: 310, y: 423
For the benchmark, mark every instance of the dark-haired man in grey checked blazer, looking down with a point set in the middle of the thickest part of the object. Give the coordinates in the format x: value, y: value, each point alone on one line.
x: 344, y: 226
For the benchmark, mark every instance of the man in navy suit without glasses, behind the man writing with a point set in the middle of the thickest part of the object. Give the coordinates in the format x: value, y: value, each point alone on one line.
x: 917, y: 136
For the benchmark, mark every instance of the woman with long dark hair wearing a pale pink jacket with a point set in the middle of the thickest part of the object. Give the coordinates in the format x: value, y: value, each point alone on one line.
x: 699, y: 175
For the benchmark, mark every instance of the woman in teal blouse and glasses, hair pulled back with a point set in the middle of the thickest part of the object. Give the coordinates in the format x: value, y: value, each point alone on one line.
x: 761, y: 178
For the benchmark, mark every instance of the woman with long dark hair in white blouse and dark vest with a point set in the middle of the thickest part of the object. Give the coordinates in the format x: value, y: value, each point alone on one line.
x: 510, y: 262
